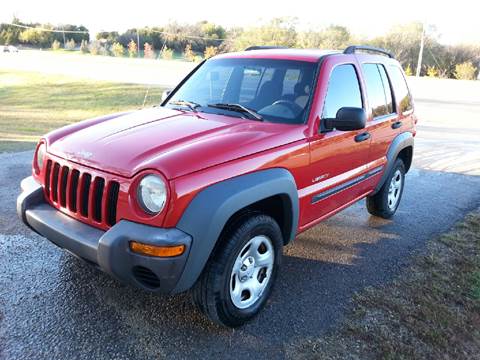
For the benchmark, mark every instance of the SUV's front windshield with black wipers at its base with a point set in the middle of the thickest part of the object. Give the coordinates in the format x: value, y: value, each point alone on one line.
x: 258, y: 89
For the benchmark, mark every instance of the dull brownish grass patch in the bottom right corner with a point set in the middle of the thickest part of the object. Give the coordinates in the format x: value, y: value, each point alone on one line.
x: 432, y: 311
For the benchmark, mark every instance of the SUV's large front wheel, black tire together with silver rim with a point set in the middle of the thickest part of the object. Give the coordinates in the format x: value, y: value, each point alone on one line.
x: 238, y: 279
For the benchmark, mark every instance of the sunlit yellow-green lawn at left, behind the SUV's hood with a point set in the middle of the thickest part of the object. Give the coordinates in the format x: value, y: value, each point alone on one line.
x: 32, y: 104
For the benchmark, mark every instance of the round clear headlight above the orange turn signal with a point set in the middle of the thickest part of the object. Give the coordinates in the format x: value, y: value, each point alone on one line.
x: 152, y: 194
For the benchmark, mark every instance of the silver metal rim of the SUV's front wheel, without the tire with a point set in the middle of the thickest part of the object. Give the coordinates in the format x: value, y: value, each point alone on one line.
x: 251, y: 271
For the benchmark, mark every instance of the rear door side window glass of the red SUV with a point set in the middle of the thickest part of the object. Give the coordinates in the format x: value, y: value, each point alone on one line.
x: 378, y: 89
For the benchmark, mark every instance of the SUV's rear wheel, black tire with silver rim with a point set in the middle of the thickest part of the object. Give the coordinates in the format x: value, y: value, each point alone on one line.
x: 385, y: 202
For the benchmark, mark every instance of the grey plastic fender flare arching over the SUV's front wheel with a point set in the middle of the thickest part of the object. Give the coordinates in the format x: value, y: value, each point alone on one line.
x: 209, y: 211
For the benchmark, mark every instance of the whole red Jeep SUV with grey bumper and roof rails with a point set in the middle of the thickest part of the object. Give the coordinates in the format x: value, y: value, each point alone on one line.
x: 205, y: 190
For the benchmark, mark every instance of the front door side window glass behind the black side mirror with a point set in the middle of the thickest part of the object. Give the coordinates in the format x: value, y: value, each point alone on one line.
x: 343, y: 90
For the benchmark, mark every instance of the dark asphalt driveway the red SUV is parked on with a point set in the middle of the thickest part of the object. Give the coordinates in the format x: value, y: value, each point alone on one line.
x: 55, y: 306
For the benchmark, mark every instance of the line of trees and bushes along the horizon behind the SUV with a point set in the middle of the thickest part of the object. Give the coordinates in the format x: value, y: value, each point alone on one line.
x: 205, y: 39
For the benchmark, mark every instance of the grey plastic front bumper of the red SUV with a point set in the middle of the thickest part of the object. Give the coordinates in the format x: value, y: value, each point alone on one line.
x: 109, y: 250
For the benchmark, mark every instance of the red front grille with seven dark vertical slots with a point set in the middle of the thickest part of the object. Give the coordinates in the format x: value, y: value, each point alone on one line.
x: 82, y: 194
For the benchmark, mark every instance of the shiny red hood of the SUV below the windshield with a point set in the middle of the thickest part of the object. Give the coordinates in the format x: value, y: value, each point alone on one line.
x: 173, y: 142
